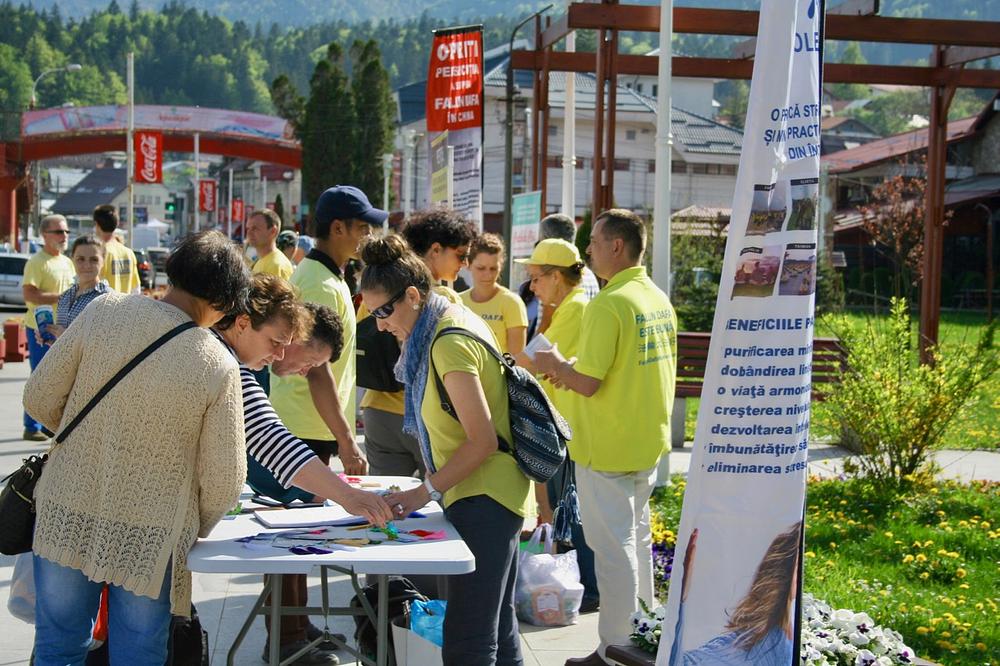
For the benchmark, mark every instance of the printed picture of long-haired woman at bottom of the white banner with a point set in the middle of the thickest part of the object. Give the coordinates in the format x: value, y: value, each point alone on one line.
x: 755, y: 624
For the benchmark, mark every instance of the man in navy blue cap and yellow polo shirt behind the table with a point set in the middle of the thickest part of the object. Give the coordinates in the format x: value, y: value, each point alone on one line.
x: 319, y: 409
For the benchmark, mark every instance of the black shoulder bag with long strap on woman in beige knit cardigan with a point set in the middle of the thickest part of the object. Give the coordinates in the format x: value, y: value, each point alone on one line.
x: 17, y: 500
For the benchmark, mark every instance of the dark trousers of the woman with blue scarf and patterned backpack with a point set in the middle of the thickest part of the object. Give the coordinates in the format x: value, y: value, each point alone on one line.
x: 480, y: 628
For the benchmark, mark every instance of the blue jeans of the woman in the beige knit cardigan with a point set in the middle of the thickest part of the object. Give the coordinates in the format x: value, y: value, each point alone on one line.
x: 66, y: 608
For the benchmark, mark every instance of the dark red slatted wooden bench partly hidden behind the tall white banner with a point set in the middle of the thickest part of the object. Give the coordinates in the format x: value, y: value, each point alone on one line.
x: 828, y: 362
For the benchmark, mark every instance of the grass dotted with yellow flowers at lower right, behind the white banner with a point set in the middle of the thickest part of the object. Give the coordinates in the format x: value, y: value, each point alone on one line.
x: 925, y: 564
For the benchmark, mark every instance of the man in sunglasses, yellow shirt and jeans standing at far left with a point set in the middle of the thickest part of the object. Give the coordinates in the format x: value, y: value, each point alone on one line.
x: 47, y: 275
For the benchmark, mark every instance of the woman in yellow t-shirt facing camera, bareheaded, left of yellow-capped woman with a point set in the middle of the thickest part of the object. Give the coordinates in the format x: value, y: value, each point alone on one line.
x: 499, y: 307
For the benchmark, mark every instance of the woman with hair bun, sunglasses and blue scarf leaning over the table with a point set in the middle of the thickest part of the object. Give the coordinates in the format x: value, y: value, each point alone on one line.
x: 482, y: 489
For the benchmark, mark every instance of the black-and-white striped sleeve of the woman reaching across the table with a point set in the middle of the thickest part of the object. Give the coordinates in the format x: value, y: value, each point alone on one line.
x: 268, y: 440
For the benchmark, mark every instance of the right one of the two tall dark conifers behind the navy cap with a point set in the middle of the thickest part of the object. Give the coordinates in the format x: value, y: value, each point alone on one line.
x: 376, y: 116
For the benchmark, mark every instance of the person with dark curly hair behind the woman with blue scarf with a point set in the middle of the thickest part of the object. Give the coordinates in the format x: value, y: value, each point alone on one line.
x: 441, y: 237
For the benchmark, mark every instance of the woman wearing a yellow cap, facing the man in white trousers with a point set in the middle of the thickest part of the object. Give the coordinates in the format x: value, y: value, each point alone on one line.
x: 555, y: 273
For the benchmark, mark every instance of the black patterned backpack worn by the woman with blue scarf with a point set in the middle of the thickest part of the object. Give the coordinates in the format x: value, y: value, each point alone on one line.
x: 539, y: 431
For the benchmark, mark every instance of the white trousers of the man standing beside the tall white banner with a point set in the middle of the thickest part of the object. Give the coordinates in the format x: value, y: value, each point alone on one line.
x: 615, y: 512
